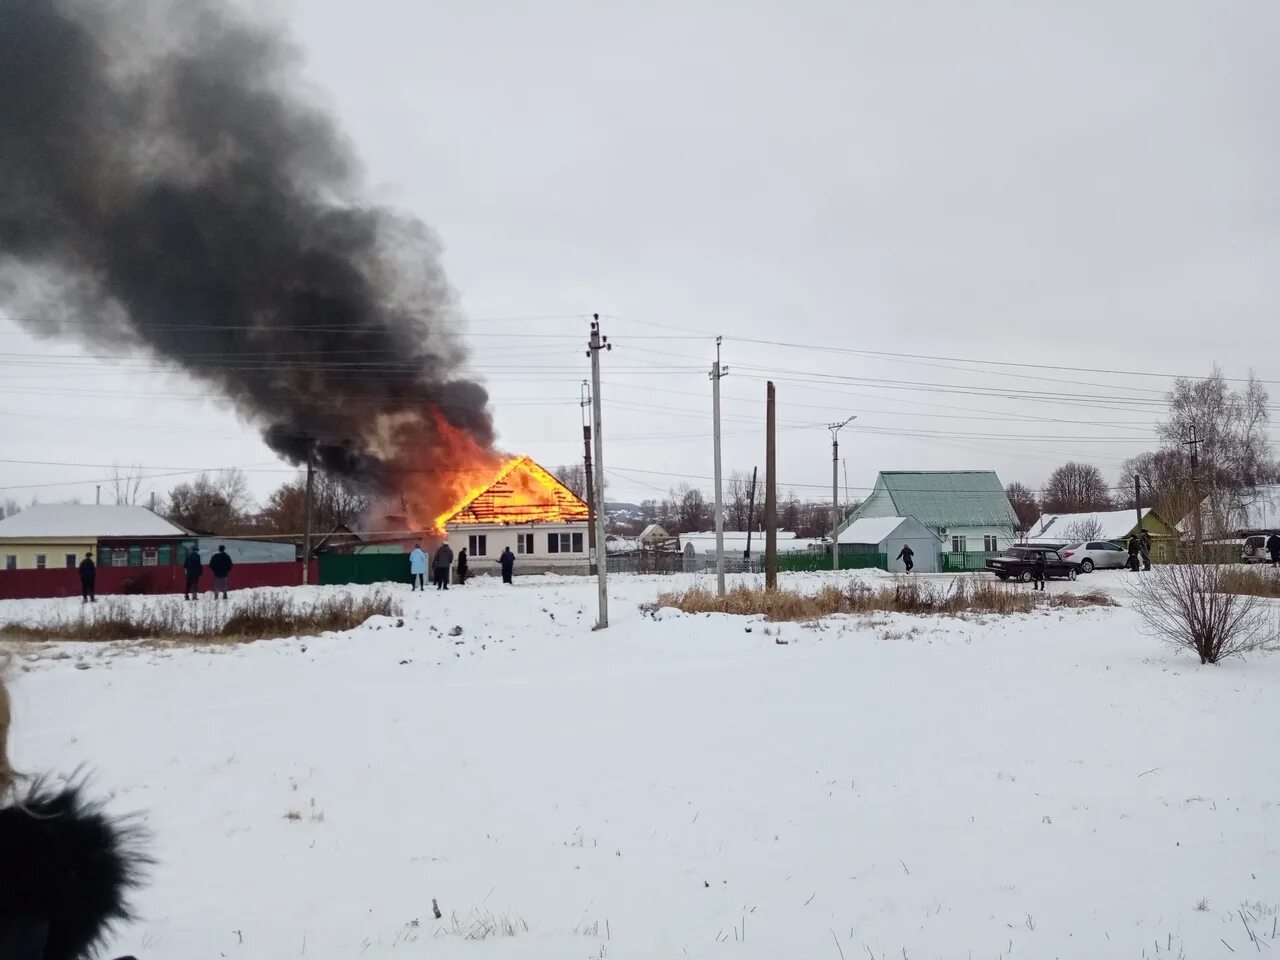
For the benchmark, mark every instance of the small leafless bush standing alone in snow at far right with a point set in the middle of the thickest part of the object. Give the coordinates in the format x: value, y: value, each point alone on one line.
x: 1190, y: 606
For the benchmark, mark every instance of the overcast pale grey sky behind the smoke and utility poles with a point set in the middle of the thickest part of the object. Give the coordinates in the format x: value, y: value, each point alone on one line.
x: 1081, y: 185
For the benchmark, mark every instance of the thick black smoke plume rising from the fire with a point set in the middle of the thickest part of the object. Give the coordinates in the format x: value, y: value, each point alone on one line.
x: 166, y: 189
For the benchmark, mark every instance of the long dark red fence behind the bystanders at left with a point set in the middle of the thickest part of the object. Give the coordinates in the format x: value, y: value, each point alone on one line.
x: 30, y: 584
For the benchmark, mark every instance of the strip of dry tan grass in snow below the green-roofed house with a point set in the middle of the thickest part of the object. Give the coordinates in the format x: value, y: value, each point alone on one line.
x: 906, y: 596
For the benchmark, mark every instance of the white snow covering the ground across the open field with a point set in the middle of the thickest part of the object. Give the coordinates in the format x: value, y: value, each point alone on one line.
x: 1044, y: 787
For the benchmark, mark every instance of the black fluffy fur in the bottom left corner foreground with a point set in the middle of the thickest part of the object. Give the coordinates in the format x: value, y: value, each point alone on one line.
x: 66, y: 875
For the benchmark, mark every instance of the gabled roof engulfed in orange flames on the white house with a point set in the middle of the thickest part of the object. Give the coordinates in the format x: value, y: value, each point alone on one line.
x: 522, y: 493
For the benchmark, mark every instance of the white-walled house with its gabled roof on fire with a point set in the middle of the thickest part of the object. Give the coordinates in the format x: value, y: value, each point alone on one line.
x: 527, y: 509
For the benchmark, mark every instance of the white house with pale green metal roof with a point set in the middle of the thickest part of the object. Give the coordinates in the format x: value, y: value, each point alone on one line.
x: 966, y: 510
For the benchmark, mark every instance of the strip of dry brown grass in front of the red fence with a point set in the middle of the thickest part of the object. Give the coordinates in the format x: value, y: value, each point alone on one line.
x: 258, y: 616
